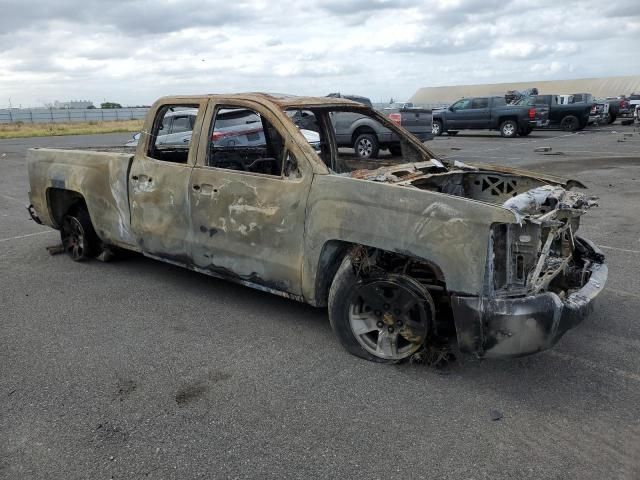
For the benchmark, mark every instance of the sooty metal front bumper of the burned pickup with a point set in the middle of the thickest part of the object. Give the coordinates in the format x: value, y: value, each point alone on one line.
x: 510, y: 327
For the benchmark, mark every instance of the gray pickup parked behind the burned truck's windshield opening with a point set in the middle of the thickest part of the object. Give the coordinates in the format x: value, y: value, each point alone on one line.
x: 367, y: 138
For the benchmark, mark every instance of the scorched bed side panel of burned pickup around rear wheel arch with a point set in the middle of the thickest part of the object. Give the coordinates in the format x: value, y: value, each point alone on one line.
x: 100, y: 177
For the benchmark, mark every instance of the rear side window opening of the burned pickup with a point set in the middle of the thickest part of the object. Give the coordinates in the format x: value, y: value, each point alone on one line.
x: 171, y: 133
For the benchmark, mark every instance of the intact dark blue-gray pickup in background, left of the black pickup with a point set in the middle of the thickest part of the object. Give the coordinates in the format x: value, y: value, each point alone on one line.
x: 488, y: 113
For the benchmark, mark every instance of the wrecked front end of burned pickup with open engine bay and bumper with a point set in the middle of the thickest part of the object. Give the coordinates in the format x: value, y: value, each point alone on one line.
x: 541, y: 277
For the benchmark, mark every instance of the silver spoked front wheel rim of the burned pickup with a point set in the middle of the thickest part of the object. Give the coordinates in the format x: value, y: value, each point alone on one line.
x: 388, y: 319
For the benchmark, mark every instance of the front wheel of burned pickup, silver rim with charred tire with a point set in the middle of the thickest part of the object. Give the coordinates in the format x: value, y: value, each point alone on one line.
x: 384, y: 318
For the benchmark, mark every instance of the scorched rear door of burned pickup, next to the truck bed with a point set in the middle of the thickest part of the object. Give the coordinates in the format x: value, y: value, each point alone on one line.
x: 158, y: 187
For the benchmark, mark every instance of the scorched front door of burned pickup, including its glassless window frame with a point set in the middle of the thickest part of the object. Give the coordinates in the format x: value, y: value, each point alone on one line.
x: 248, y: 195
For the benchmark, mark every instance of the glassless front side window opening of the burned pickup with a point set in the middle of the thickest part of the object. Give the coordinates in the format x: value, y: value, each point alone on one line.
x: 241, y: 139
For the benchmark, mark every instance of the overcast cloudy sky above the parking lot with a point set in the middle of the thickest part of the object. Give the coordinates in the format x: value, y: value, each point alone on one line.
x: 132, y: 51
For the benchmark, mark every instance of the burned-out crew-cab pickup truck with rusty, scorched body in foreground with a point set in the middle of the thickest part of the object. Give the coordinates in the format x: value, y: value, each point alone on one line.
x: 403, y: 249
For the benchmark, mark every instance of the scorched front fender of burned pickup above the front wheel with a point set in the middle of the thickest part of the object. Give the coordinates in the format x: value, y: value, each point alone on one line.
x: 452, y: 232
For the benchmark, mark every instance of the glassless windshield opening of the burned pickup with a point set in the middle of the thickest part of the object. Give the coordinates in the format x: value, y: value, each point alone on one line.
x: 350, y: 140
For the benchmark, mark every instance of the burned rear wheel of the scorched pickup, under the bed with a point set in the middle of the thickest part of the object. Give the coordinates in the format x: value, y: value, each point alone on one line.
x: 78, y: 237
